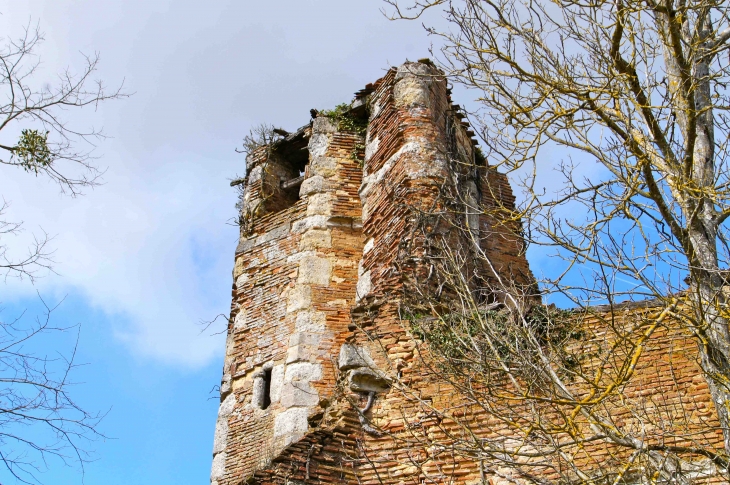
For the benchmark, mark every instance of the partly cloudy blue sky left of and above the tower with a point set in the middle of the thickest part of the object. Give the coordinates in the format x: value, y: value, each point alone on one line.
x: 145, y: 257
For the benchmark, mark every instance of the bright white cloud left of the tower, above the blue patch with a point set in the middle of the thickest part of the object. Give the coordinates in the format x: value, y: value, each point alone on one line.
x: 132, y: 247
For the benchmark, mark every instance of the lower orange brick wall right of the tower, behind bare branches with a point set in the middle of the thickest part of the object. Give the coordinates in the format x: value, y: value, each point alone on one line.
x: 666, y: 401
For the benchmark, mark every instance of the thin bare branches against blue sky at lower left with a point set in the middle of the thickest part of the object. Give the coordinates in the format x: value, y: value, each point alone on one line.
x: 39, y: 419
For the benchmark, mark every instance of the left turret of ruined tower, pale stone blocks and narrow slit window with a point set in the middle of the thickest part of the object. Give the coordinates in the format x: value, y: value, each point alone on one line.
x: 295, y: 277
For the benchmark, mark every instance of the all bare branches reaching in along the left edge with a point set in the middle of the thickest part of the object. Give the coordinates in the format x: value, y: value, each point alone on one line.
x: 39, y: 420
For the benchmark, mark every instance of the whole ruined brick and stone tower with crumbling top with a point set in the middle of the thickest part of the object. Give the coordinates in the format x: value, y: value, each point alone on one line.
x: 325, y: 213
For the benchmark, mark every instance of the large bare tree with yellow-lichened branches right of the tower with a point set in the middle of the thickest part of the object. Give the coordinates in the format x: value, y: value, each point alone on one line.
x: 633, y: 97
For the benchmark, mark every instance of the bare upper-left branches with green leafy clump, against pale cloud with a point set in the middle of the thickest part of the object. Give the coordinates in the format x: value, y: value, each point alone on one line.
x: 48, y: 145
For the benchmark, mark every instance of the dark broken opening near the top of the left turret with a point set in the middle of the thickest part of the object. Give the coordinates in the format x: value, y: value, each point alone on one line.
x: 285, y: 170
